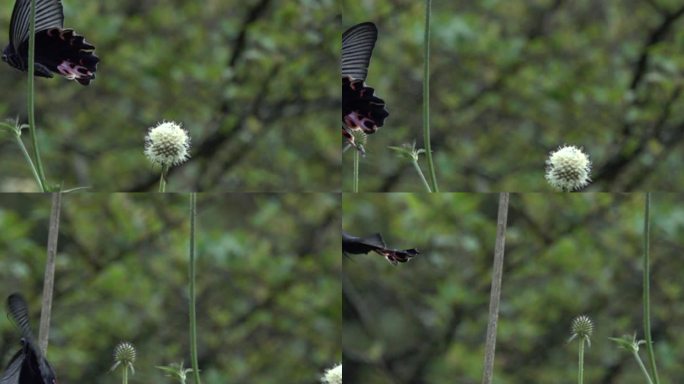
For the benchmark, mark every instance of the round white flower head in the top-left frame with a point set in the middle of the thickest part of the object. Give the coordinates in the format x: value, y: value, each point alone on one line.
x: 167, y: 144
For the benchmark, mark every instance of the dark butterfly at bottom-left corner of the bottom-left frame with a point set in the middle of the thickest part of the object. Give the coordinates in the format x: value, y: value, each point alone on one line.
x: 28, y: 365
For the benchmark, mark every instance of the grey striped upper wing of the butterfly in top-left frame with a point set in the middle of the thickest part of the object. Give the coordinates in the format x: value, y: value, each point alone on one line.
x: 49, y: 14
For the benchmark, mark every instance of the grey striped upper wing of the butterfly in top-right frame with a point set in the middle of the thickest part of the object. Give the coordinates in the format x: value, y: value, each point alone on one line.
x: 357, y: 47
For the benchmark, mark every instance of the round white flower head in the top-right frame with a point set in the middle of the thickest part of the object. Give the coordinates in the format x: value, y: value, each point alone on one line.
x: 567, y: 169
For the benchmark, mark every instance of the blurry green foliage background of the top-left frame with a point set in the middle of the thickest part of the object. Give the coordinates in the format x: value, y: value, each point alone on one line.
x: 254, y: 82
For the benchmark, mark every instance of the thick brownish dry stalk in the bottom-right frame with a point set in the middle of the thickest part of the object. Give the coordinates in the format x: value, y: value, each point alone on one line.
x: 495, y: 295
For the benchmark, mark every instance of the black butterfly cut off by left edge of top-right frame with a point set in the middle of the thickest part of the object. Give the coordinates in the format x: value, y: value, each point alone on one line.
x: 361, y: 109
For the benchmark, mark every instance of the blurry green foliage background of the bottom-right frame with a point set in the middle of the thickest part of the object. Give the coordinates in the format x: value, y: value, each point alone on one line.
x: 566, y: 255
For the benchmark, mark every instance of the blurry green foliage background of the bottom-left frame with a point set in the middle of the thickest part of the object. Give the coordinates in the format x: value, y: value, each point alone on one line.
x: 268, y: 304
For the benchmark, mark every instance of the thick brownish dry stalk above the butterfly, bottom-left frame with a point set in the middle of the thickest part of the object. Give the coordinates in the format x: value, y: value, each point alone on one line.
x: 49, y: 280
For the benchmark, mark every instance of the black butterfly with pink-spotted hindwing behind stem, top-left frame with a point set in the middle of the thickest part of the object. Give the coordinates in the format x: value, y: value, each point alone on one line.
x: 58, y: 50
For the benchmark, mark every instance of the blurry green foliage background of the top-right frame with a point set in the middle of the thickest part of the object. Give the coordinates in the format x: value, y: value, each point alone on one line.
x: 513, y: 80
